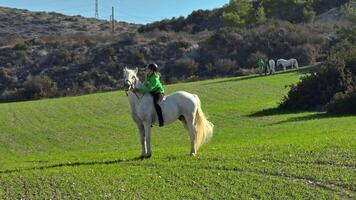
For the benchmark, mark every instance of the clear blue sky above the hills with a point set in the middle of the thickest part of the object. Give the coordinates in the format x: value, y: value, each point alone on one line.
x: 136, y: 11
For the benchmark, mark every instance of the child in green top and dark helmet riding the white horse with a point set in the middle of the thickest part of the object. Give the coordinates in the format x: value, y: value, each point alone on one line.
x: 154, y: 86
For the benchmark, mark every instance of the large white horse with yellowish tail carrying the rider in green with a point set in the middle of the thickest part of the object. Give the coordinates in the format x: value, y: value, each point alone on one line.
x: 180, y: 105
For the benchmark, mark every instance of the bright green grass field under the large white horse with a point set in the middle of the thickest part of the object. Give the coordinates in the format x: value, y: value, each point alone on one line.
x: 84, y: 148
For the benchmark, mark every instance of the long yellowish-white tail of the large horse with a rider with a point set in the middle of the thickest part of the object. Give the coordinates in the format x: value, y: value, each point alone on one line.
x: 204, y: 128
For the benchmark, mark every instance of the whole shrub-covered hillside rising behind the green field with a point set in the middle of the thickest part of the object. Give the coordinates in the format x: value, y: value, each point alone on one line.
x: 51, y: 55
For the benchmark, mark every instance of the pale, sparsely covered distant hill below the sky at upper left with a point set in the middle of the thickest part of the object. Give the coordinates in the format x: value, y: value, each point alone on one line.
x: 18, y: 23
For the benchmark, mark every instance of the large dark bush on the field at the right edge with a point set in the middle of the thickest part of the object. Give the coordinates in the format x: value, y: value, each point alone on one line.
x: 332, y: 88
